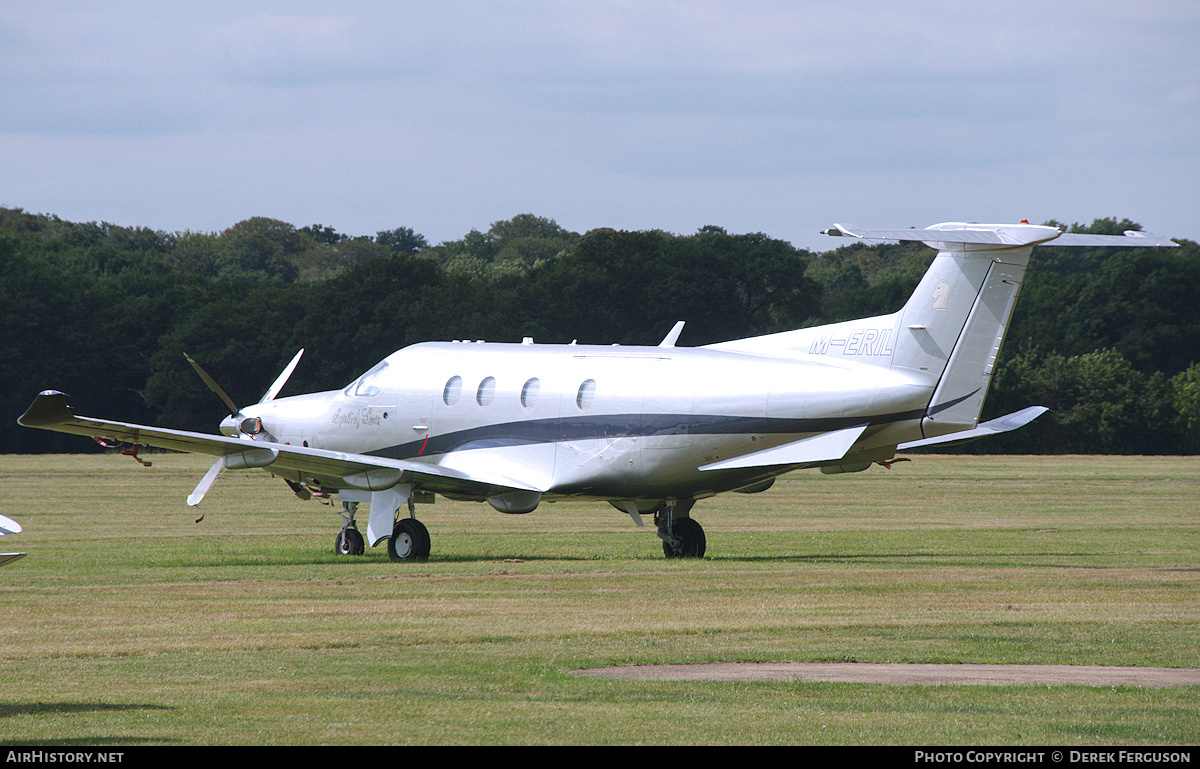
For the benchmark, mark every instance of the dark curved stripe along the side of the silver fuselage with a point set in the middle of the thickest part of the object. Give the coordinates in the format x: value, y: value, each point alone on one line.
x: 625, y: 426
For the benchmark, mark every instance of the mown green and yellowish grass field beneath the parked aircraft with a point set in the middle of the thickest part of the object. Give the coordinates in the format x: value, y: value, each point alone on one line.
x: 131, y: 624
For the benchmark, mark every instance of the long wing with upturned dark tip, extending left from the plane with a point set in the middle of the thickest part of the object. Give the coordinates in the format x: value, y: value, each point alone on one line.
x: 338, y: 470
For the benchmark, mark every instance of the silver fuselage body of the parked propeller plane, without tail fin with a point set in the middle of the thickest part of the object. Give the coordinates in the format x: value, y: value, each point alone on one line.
x: 605, y: 423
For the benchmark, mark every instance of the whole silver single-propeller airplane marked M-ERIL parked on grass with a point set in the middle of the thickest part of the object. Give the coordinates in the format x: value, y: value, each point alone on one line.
x: 650, y: 430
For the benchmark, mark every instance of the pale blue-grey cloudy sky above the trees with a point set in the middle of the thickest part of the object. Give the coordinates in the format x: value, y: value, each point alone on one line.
x: 781, y: 118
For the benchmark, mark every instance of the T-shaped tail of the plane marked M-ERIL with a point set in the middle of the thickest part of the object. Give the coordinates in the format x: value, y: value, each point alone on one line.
x: 949, y: 335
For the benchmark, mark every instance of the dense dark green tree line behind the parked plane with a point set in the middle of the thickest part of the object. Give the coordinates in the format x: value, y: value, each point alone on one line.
x: 1106, y: 338
